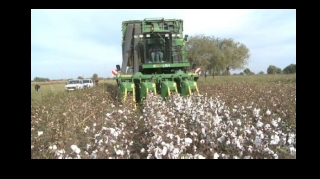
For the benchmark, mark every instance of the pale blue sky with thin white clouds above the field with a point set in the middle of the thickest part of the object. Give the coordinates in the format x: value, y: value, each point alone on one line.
x: 68, y: 43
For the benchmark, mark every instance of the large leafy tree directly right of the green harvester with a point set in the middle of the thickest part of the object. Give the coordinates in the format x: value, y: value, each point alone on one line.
x: 216, y: 55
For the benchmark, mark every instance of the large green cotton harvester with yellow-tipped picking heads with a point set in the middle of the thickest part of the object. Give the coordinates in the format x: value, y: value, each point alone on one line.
x: 163, y: 74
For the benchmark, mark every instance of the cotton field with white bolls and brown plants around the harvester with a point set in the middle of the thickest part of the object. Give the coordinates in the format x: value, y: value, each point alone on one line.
x: 233, y: 117
